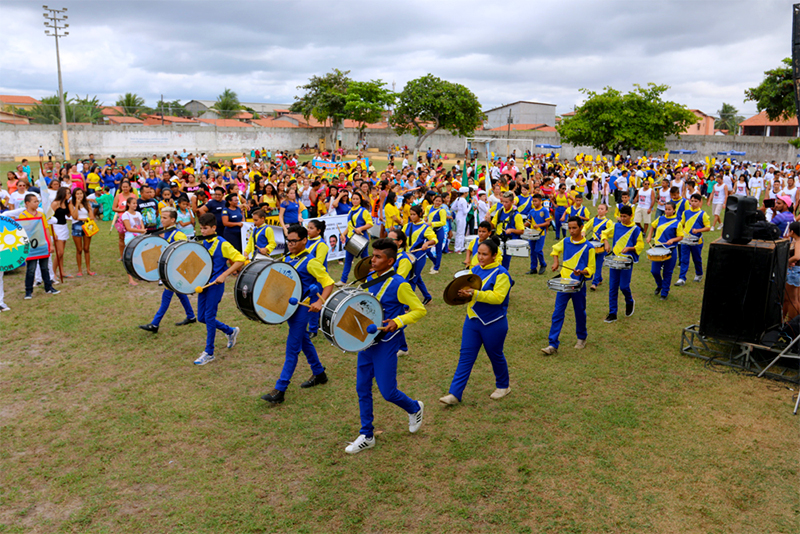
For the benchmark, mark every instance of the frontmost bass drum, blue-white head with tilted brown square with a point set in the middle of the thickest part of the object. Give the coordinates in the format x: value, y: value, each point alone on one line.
x: 345, y: 317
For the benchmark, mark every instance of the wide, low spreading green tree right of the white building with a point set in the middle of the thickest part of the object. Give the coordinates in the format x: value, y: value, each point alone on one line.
x: 614, y: 123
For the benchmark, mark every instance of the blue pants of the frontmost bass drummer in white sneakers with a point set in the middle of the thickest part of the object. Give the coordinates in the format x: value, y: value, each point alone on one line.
x: 380, y: 362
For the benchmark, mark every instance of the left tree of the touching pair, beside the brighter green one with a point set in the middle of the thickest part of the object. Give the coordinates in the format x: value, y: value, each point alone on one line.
x: 325, y: 100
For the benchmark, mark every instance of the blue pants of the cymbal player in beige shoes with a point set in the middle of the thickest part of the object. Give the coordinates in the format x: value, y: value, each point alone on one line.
x: 474, y: 335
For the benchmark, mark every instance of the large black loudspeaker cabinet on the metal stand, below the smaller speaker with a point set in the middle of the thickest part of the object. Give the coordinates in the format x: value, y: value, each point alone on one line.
x: 743, y: 296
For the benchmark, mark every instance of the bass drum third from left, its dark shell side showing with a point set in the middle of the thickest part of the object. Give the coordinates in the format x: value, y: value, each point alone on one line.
x: 263, y: 289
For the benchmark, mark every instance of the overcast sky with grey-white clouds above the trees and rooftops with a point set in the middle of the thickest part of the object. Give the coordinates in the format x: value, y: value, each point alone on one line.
x: 708, y: 52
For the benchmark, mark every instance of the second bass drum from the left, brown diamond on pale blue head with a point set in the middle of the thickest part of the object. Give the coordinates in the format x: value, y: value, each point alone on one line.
x: 185, y: 265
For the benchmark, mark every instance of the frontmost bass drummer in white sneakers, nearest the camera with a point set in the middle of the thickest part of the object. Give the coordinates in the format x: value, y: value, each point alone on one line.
x: 379, y: 361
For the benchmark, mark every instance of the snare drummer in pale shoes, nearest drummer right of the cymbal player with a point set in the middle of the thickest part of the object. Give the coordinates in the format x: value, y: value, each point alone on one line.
x: 579, y: 264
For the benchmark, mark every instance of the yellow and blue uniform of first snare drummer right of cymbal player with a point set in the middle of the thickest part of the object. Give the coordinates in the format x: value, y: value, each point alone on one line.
x: 578, y: 256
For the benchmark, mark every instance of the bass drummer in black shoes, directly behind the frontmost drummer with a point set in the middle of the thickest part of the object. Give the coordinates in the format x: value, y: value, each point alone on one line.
x: 313, y: 275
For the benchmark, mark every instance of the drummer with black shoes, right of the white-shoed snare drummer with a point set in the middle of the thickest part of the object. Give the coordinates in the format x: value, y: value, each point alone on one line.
x: 623, y: 237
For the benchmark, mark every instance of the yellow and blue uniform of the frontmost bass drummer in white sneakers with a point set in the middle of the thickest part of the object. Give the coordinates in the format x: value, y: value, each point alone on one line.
x: 379, y: 361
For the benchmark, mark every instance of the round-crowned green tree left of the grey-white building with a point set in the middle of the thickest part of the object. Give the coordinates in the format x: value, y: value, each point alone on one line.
x: 429, y: 104
